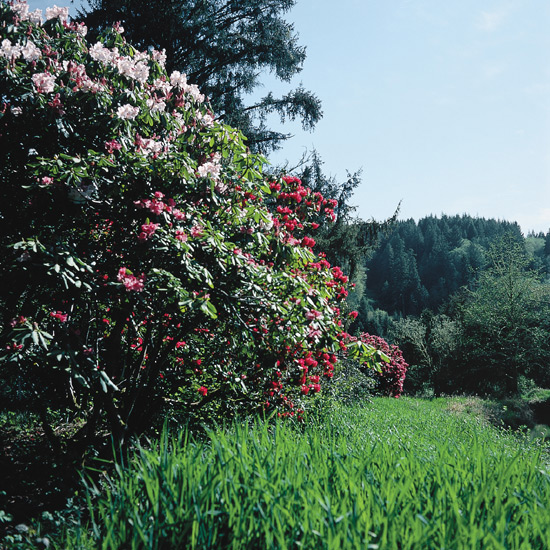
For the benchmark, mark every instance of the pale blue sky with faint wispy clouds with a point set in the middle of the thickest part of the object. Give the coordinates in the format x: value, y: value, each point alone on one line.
x: 444, y: 104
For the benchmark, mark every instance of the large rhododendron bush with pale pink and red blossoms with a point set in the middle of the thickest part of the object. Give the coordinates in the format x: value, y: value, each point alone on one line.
x: 146, y: 261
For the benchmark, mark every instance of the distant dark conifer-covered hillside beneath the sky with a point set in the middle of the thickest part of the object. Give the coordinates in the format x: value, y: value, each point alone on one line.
x: 419, y: 266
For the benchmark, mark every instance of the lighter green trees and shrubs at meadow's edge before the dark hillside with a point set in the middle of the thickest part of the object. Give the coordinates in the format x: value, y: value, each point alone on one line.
x: 493, y: 335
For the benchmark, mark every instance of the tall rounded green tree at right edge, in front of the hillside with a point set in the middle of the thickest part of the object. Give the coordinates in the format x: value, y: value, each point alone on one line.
x: 505, y: 319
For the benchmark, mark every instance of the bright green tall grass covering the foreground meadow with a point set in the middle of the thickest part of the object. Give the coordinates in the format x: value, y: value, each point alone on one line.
x: 395, y: 474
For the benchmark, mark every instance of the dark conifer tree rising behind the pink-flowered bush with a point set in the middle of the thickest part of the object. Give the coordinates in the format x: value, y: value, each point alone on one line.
x: 223, y: 46
